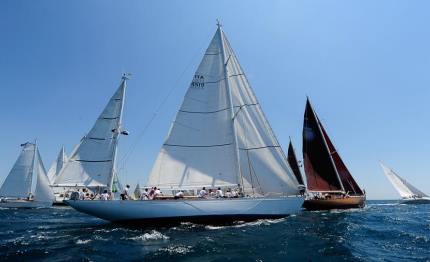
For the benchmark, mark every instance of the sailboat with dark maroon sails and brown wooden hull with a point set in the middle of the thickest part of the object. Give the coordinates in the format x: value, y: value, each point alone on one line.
x: 330, y: 185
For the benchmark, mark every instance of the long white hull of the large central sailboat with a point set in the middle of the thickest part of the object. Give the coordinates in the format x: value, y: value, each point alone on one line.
x: 198, y: 210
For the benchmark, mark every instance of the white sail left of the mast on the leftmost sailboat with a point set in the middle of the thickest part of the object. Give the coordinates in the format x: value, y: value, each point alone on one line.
x: 19, y: 180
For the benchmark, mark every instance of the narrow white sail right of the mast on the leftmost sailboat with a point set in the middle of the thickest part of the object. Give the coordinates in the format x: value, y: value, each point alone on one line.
x: 42, y: 192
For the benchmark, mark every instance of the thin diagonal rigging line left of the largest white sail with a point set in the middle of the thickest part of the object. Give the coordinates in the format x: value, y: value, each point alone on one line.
x: 157, y: 111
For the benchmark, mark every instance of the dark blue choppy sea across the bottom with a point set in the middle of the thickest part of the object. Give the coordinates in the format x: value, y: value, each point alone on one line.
x: 383, y: 231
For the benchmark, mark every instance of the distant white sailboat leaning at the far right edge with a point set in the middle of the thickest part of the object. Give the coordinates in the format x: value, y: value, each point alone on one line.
x: 409, y: 193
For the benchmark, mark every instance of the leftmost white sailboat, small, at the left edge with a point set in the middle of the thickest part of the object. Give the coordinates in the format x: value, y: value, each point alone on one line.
x: 27, y: 185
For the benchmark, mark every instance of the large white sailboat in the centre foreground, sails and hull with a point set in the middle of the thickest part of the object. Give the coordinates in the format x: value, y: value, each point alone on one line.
x: 219, y: 139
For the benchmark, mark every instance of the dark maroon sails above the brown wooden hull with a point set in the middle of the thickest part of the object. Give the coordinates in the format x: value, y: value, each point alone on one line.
x: 324, y: 168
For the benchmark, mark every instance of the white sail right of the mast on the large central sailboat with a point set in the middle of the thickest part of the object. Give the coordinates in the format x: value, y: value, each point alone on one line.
x: 264, y: 166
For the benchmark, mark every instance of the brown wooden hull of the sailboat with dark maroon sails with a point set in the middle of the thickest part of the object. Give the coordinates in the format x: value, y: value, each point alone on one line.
x: 337, y: 203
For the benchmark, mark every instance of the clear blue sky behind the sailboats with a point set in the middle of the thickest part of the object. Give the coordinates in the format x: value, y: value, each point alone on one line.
x: 364, y: 64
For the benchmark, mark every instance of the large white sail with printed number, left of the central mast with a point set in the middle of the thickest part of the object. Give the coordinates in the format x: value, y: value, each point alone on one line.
x: 199, y: 150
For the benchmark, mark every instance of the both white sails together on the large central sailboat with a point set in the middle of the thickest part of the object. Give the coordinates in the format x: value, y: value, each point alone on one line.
x: 220, y: 136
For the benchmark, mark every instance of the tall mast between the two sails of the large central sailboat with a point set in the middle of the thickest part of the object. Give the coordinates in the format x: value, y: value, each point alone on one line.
x: 227, y: 80
